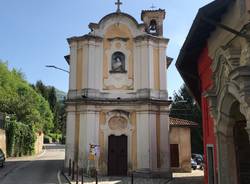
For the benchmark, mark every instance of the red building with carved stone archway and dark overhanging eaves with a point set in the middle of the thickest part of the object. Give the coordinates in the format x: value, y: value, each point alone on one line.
x: 215, y: 64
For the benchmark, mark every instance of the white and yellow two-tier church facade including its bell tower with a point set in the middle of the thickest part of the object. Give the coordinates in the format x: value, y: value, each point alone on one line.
x: 117, y: 97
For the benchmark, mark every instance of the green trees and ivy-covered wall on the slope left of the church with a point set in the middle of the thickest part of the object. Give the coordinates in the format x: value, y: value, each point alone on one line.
x: 27, y: 110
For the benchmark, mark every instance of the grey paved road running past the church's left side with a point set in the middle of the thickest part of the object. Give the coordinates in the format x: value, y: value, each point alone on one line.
x: 35, y: 170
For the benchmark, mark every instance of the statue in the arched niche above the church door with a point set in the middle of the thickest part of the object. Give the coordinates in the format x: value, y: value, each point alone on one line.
x: 118, y: 63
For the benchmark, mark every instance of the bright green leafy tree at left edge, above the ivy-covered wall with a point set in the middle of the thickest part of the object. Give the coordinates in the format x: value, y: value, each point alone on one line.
x: 19, y: 99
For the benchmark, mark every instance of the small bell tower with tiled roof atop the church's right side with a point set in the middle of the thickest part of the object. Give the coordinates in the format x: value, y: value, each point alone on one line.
x: 153, y: 19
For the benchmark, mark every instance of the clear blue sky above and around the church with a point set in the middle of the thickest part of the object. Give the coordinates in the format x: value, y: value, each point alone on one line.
x: 33, y: 32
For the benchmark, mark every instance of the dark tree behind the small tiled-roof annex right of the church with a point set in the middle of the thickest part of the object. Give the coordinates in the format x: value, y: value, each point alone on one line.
x: 185, y: 107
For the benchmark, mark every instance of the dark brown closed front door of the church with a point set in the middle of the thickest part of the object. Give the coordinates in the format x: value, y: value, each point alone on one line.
x: 117, y: 155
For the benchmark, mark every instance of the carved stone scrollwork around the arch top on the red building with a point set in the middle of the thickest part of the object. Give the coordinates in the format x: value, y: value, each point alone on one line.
x: 231, y: 76
